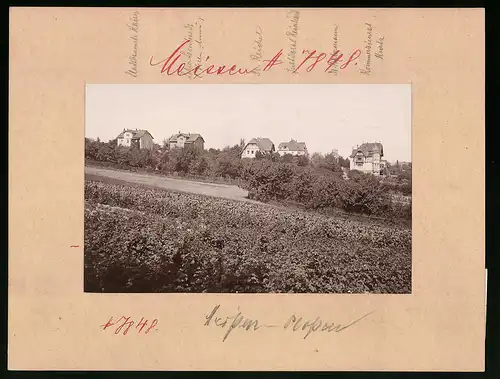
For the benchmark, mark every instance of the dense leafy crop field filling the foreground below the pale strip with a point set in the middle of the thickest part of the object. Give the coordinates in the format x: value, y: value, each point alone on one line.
x: 154, y: 240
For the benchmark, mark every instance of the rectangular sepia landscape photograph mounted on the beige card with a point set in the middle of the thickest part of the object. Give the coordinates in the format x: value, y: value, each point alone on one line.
x: 248, y: 188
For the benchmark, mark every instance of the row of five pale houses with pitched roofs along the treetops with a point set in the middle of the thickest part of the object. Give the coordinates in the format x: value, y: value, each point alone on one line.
x: 367, y: 157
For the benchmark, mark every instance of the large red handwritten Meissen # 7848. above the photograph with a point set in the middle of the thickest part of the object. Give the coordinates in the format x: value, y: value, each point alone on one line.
x: 172, y: 66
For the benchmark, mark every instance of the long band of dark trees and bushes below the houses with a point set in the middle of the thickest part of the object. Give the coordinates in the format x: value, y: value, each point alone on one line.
x: 315, y: 182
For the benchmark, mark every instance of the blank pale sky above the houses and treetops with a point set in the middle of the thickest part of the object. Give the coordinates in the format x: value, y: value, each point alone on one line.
x: 324, y: 116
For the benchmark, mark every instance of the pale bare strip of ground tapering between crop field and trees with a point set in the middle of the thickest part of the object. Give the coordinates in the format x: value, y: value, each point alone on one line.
x: 209, y: 189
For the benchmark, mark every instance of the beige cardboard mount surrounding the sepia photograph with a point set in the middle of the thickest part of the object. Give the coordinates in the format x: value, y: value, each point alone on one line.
x: 54, y: 325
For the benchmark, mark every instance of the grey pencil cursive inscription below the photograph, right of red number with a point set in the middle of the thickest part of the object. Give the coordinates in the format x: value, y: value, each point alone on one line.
x: 294, y: 324
